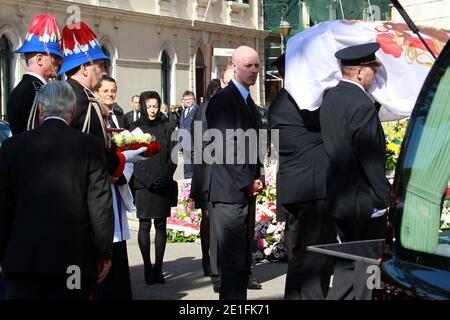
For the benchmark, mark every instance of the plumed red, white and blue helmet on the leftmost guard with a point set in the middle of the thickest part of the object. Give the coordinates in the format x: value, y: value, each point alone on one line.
x: 42, y: 36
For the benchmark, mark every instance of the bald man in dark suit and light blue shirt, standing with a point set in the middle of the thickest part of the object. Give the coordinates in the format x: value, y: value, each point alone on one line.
x: 233, y: 179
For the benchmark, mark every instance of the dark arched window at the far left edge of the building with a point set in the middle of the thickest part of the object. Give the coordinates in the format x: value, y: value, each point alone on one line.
x: 5, y: 73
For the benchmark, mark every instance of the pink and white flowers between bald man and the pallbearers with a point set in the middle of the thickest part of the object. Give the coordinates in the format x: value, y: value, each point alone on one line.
x: 269, y: 233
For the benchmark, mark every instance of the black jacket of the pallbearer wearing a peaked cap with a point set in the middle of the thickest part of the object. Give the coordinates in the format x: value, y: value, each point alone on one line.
x: 355, y: 144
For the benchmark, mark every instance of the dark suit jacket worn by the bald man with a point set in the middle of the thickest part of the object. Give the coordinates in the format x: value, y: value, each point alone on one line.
x: 226, y: 182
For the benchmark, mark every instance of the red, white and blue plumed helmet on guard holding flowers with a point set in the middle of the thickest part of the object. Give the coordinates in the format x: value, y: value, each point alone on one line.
x: 80, y: 46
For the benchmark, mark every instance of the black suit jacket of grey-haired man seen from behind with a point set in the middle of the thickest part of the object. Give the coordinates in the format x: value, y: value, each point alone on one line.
x: 55, y: 201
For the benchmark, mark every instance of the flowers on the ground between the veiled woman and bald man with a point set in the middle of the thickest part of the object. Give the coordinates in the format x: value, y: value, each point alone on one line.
x: 183, y: 224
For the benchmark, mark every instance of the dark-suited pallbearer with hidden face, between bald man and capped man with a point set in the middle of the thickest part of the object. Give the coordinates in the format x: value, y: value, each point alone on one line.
x: 301, y: 192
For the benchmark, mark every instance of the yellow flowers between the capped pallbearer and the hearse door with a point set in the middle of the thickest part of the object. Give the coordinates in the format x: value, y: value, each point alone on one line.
x: 394, y: 132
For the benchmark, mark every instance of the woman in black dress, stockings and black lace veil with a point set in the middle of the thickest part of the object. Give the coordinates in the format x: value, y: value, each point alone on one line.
x: 154, y: 184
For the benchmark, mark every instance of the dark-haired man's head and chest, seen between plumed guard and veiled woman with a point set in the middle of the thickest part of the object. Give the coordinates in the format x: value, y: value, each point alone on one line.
x: 107, y: 94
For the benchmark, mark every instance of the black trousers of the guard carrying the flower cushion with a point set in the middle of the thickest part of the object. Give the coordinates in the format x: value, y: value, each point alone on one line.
x: 117, y: 284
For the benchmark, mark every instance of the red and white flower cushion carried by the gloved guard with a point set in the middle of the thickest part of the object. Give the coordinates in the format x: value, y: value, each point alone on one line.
x: 126, y: 140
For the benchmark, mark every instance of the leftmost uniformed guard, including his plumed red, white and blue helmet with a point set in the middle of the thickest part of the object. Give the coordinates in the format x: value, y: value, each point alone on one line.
x: 42, y: 60
